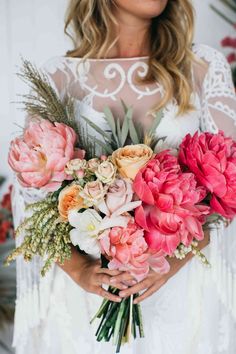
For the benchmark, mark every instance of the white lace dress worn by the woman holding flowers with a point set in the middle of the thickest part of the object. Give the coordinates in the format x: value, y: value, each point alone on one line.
x: 195, y: 311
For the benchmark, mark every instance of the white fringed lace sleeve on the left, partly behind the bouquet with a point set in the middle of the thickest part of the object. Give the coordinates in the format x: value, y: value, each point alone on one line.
x: 33, y: 291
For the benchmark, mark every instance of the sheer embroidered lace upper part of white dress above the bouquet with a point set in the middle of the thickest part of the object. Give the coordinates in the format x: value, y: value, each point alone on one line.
x: 99, y: 82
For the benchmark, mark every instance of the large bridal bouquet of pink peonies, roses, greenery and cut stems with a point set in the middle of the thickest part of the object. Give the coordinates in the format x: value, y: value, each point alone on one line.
x: 129, y: 205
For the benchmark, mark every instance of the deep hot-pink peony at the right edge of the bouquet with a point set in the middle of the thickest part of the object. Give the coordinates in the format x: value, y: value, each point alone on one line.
x: 212, y: 158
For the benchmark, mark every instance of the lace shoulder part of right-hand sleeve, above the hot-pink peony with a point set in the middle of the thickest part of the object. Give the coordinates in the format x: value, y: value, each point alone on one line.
x: 218, y: 95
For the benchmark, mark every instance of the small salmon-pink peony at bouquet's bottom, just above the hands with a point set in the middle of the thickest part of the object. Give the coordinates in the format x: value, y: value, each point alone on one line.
x: 128, y: 251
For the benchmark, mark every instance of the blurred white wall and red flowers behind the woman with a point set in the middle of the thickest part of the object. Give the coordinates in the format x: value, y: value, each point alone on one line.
x: 33, y: 29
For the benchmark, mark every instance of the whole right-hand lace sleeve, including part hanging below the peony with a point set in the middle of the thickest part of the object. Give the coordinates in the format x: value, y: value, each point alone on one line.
x: 219, y: 113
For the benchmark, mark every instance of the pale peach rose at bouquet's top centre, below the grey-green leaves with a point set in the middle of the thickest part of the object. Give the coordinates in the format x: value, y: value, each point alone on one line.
x: 131, y: 158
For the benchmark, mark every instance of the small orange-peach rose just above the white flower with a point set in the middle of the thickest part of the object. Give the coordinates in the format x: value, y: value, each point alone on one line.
x: 69, y: 198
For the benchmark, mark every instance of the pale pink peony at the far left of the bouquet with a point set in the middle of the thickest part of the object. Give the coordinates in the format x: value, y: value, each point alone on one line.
x: 40, y: 155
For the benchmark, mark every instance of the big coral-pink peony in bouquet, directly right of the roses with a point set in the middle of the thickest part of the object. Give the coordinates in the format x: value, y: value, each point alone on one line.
x: 170, y: 212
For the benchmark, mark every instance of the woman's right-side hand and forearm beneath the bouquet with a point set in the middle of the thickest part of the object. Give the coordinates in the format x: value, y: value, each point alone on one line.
x: 154, y: 281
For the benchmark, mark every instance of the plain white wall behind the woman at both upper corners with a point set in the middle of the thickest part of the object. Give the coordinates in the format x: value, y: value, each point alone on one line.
x: 34, y: 29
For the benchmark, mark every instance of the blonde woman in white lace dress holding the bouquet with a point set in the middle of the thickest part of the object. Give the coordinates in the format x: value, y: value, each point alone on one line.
x: 117, y: 44
